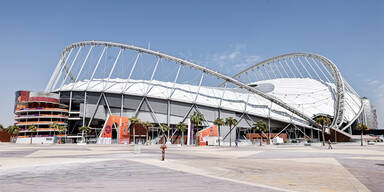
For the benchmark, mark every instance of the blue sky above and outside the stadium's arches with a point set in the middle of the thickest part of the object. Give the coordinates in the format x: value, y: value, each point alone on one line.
x: 350, y: 33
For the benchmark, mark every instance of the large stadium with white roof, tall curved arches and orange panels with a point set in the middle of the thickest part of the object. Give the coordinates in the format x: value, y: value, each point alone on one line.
x: 104, y: 85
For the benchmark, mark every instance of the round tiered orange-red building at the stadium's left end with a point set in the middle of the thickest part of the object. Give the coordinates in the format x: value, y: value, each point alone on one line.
x: 41, y: 110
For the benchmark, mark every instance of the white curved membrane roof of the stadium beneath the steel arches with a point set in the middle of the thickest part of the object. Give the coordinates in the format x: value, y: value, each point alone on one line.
x: 312, y: 97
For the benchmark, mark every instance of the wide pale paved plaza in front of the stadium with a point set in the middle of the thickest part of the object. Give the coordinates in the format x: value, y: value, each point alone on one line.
x: 348, y: 167
